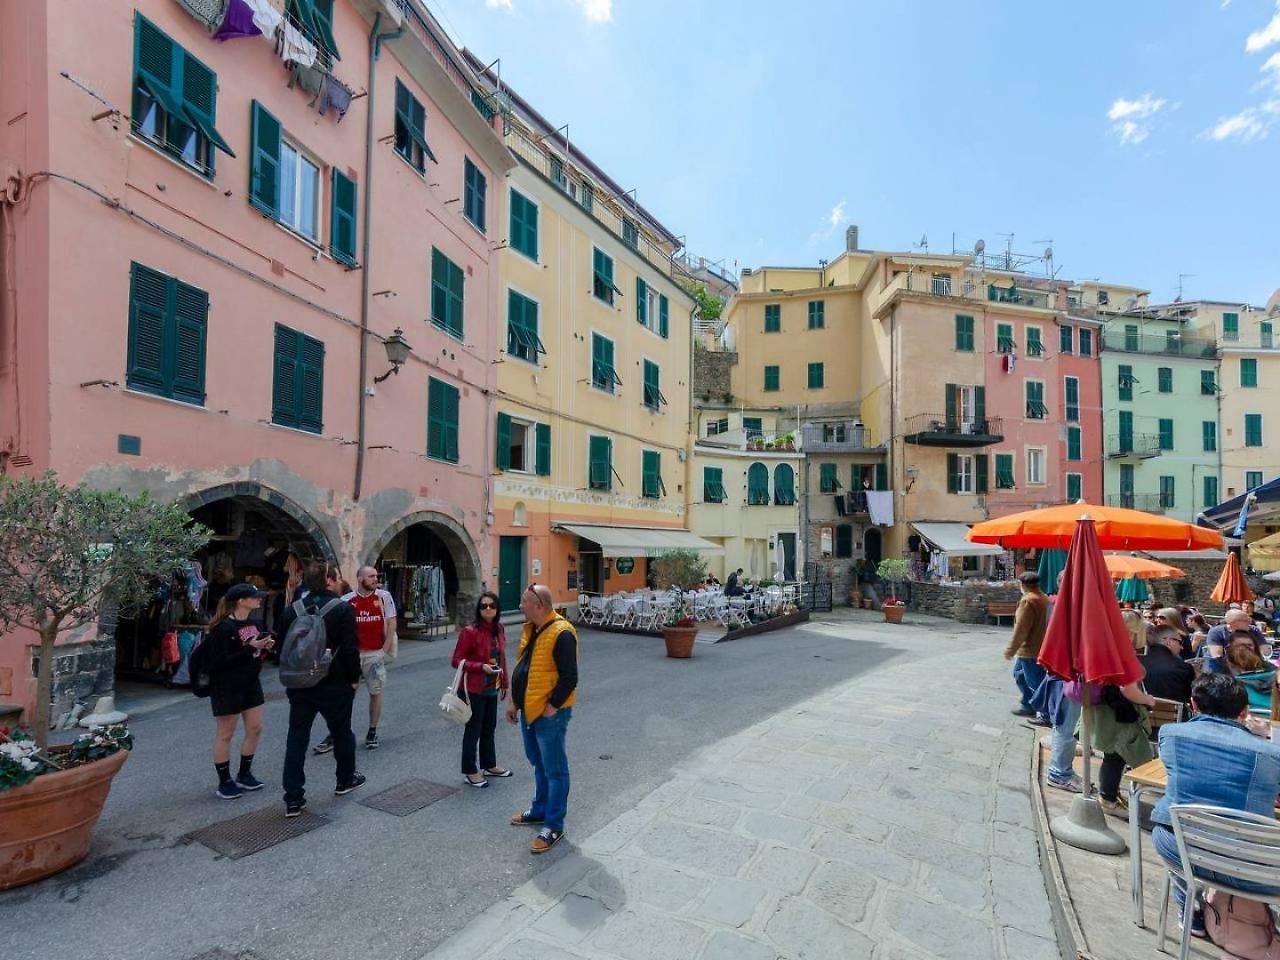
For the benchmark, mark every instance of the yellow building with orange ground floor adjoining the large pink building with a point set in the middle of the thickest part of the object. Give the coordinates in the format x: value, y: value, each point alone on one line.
x: 592, y: 432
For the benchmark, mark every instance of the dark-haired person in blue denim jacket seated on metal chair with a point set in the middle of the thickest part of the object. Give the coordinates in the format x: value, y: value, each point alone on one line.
x: 1214, y: 760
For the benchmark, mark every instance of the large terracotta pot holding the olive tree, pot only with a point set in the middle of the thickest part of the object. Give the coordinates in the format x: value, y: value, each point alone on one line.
x: 47, y: 825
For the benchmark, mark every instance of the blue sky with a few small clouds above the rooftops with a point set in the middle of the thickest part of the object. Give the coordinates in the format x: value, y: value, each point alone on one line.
x: 1142, y: 138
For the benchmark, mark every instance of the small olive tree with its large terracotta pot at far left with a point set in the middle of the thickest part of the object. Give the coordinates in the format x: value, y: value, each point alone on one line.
x: 63, y: 550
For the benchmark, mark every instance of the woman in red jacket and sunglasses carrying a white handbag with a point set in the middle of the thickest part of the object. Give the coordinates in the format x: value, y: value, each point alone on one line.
x: 483, y: 653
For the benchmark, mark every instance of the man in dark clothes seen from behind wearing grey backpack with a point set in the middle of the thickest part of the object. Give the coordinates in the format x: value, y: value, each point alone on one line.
x: 321, y: 670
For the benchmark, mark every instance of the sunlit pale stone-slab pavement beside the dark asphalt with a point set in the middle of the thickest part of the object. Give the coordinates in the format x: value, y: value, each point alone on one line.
x: 886, y: 819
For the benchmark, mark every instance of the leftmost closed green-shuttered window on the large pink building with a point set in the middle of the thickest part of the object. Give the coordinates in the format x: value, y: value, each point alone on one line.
x: 168, y: 331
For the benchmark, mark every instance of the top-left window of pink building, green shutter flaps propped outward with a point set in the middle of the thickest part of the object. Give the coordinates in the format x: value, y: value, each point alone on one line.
x: 175, y: 99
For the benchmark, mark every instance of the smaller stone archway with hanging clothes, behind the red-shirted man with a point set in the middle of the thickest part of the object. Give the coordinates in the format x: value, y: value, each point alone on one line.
x: 432, y: 568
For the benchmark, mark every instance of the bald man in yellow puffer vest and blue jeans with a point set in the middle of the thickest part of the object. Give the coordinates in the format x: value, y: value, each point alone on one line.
x: 543, y: 691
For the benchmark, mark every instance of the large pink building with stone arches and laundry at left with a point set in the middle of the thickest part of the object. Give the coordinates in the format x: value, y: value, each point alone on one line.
x: 202, y: 273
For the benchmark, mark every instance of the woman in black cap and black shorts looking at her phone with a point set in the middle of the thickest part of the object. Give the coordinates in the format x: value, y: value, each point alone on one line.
x: 235, y: 661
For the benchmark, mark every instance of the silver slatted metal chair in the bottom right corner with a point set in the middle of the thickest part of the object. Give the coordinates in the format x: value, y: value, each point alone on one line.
x: 1233, y: 844
